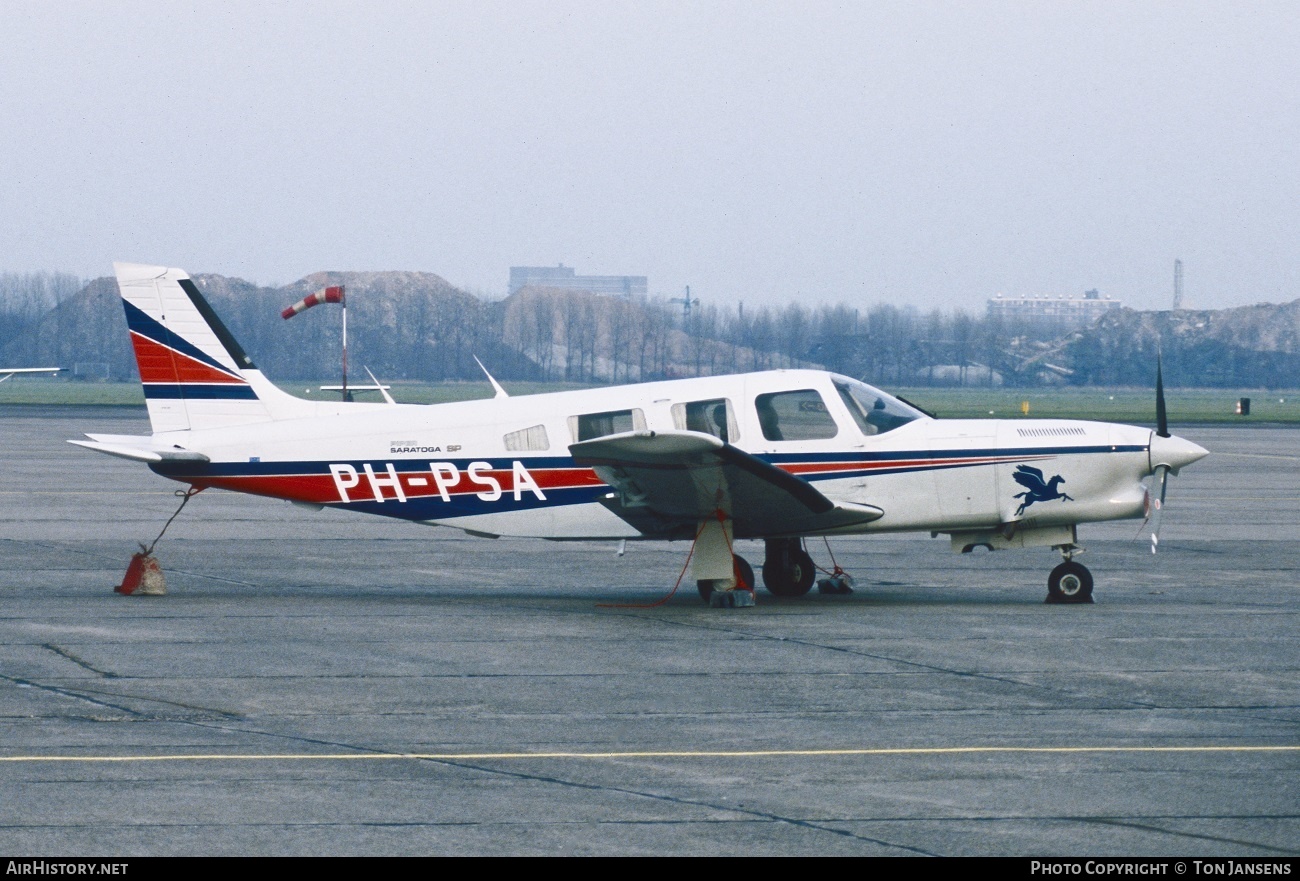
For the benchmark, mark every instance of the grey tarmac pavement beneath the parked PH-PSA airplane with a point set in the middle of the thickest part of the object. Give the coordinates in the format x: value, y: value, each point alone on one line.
x: 319, y: 683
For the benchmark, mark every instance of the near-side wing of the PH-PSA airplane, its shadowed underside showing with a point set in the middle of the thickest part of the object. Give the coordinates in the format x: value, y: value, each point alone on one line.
x: 666, y: 483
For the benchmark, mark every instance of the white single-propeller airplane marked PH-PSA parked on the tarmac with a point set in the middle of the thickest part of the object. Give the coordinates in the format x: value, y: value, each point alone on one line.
x: 779, y: 457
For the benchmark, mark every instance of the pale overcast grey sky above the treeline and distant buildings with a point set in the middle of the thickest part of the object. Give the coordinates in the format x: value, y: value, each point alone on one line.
x: 930, y: 154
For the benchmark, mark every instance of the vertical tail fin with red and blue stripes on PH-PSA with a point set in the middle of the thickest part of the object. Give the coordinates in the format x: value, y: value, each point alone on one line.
x: 196, y: 375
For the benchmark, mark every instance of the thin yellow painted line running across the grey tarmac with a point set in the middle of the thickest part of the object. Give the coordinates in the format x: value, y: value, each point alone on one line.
x: 639, y: 754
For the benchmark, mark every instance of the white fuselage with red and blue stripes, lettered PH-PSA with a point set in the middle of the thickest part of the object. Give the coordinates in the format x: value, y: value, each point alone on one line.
x: 502, y: 466
